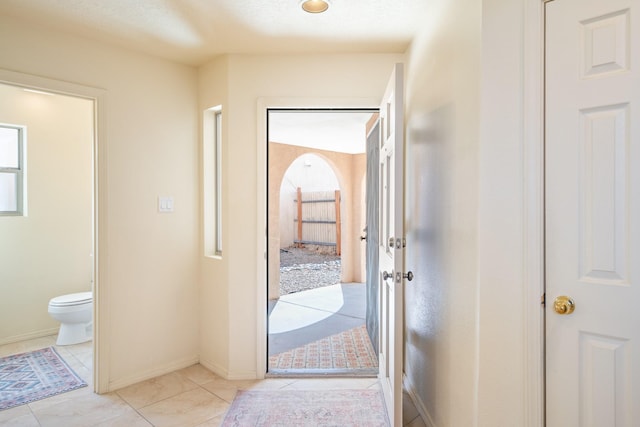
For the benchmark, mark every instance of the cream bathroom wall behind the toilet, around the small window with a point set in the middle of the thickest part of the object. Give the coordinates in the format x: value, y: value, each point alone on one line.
x: 48, y: 252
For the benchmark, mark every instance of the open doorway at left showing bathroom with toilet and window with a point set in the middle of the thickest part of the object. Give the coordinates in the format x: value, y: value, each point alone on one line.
x: 50, y: 224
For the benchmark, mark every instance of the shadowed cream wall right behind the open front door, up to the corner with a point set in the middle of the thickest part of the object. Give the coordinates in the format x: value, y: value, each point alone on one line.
x: 442, y: 115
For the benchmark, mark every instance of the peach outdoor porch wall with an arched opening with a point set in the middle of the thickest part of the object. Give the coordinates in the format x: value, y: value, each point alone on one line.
x: 349, y: 169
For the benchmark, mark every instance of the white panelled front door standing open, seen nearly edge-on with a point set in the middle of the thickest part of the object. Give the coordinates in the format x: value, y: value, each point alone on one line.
x: 391, y: 244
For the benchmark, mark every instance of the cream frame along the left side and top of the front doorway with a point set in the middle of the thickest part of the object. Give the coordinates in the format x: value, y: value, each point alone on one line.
x: 263, y: 107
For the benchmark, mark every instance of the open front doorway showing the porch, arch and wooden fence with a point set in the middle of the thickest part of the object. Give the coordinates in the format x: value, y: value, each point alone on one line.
x: 317, y: 290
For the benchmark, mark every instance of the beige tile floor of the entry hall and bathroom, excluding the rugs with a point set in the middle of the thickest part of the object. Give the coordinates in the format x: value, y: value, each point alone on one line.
x: 193, y: 396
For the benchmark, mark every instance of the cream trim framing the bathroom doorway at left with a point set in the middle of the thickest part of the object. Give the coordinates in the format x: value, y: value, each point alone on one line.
x: 98, y: 96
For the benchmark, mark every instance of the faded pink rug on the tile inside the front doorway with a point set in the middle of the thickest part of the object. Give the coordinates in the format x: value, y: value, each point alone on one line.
x: 299, y: 408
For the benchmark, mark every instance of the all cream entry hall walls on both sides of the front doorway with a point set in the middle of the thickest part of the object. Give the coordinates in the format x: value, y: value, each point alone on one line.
x: 464, y: 78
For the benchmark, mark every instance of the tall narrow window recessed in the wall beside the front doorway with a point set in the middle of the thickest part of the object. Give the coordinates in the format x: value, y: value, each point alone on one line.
x: 212, y: 186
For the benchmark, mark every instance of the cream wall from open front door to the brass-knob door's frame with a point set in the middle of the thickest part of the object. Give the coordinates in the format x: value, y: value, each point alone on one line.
x: 467, y: 328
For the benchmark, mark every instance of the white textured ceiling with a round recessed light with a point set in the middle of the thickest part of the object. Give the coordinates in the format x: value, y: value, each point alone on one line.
x: 194, y: 31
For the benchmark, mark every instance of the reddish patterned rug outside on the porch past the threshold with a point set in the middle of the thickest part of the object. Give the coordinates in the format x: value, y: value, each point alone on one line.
x: 350, y: 349
